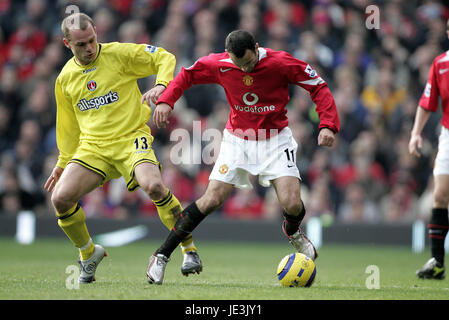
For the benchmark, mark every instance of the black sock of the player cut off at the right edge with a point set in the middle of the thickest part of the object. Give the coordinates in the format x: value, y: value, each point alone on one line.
x: 438, y: 228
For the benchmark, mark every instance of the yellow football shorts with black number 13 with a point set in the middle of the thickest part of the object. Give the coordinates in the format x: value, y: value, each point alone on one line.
x: 115, y: 158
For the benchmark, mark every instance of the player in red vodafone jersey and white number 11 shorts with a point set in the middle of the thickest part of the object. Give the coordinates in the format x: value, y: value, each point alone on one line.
x: 256, y: 140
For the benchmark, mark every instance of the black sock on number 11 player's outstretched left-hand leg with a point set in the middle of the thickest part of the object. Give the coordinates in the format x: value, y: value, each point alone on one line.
x: 189, y: 219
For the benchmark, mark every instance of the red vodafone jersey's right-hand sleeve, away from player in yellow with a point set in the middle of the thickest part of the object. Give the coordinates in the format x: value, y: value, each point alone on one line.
x: 302, y: 74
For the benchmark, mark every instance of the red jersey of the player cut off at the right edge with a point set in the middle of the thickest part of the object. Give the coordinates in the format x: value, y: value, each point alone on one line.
x: 438, y: 86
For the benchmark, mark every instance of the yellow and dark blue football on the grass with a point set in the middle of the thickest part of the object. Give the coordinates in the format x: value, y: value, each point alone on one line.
x: 296, y: 270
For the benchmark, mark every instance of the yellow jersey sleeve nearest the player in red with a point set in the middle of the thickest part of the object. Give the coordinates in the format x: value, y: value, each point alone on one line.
x: 143, y: 60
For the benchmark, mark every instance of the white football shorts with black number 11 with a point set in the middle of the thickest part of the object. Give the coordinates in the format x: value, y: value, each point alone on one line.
x: 269, y: 159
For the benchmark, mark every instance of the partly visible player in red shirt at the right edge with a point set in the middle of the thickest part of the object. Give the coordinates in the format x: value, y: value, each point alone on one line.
x: 437, y: 86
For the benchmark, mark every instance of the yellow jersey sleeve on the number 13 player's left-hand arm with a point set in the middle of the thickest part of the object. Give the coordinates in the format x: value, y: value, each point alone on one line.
x: 67, y: 128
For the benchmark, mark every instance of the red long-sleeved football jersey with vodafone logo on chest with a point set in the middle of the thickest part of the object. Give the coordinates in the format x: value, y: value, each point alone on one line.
x: 257, y: 99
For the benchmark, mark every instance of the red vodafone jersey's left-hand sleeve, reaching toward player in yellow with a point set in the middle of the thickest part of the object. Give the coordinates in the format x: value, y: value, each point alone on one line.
x: 203, y: 71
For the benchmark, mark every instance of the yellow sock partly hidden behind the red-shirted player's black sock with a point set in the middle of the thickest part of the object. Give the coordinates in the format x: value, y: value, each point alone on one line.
x: 169, y: 209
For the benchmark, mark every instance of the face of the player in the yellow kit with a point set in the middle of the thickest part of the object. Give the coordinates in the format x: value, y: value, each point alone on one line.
x: 83, y: 44
